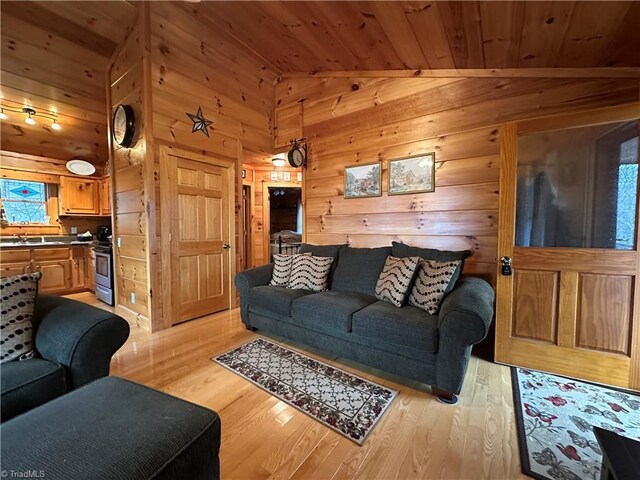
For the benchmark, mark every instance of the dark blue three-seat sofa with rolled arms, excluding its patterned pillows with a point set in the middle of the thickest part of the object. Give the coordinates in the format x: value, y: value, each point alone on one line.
x: 348, y: 321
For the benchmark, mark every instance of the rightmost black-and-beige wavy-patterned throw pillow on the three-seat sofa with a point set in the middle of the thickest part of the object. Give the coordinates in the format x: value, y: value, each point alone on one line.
x: 431, y: 284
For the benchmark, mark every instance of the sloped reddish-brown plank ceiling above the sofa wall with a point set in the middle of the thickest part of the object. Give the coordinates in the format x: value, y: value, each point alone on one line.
x: 331, y: 35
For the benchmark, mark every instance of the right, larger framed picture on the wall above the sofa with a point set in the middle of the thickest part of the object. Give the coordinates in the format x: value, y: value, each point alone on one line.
x: 412, y: 174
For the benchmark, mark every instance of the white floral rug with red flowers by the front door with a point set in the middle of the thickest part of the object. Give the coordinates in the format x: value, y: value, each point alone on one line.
x: 555, y: 418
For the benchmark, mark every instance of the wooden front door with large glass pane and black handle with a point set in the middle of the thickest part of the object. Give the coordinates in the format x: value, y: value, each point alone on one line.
x: 568, y: 224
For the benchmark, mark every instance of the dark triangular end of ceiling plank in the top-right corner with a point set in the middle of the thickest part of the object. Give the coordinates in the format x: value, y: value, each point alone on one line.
x: 624, y: 50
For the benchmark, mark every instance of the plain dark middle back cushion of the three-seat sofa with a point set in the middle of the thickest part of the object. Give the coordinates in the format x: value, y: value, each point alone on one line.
x: 359, y: 268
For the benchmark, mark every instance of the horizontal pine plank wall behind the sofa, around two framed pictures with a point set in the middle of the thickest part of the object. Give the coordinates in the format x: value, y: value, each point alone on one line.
x: 359, y: 120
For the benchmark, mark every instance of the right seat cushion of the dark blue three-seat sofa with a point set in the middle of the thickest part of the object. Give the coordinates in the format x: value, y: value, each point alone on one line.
x: 398, y: 327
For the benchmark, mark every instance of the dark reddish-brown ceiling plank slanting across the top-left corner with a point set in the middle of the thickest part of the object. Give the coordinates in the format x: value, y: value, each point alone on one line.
x: 60, y: 26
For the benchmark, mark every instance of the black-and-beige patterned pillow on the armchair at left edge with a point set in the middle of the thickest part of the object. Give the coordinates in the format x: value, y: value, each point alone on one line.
x: 17, y: 302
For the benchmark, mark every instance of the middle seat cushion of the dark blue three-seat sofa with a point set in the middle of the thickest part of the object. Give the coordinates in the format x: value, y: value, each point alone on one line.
x: 329, y: 310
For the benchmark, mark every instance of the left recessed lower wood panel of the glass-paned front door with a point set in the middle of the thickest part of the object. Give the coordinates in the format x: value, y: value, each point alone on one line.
x: 535, y: 306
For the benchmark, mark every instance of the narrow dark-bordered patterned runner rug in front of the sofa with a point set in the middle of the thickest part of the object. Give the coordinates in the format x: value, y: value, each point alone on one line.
x: 340, y: 400
